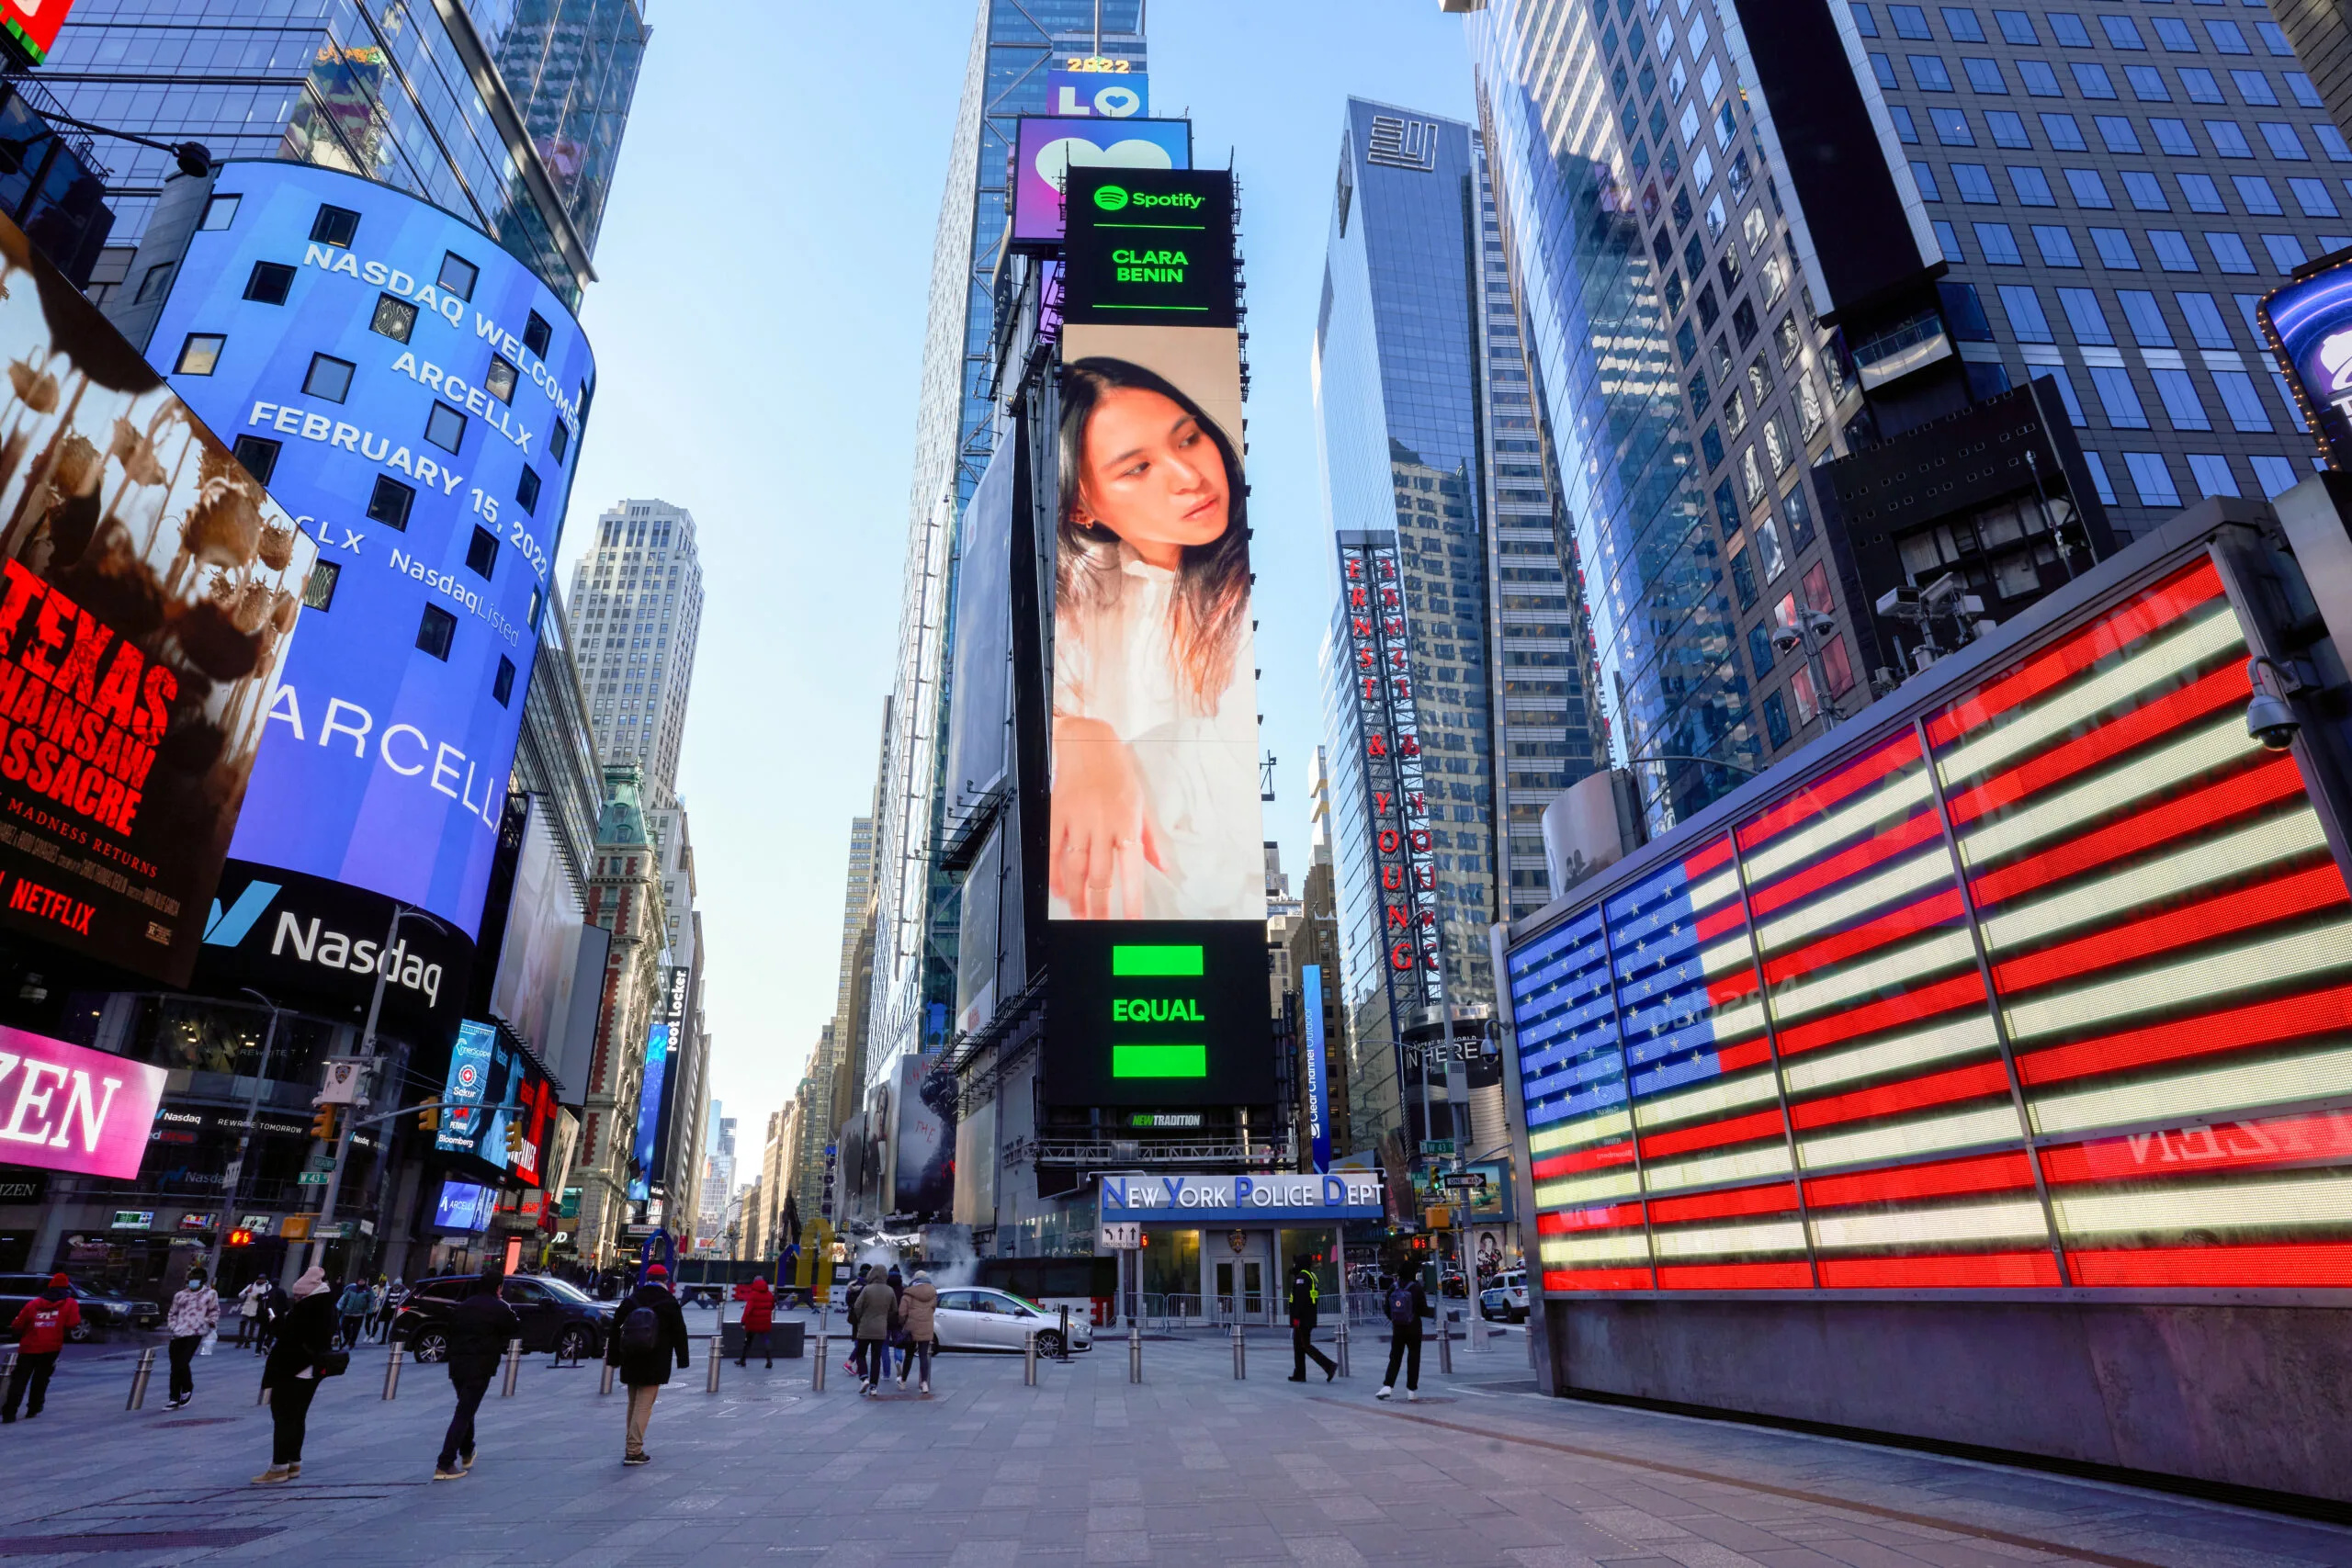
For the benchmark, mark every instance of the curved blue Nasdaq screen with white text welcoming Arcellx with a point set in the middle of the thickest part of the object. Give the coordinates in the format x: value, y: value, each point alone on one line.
x: 415, y: 396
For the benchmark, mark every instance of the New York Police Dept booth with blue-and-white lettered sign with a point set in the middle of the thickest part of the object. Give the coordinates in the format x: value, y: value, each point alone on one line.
x: 1220, y: 1249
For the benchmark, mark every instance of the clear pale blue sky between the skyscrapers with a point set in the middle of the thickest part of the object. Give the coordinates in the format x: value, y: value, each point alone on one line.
x: 759, y: 328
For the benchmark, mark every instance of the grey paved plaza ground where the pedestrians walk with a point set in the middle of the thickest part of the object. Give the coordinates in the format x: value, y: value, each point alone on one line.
x: 1189, y: 1468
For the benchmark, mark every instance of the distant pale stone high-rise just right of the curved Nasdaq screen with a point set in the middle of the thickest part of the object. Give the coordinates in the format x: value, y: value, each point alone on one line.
x: 636, y: 610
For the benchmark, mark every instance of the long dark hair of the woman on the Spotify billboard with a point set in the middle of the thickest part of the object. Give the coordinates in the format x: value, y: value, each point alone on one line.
x: 1212, y: 582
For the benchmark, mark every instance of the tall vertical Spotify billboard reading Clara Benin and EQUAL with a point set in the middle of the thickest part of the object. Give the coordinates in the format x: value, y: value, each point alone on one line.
x: 1156, y: 890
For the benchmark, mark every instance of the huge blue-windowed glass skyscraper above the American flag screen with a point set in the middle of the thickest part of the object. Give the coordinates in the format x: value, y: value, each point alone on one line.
x: 1779, y: 264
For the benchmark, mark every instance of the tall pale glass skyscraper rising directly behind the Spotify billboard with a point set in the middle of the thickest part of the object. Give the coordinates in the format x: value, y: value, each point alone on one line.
x: 916, y: 913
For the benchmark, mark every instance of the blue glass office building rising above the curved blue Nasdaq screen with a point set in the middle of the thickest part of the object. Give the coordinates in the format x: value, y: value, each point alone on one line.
x: 389, y: 91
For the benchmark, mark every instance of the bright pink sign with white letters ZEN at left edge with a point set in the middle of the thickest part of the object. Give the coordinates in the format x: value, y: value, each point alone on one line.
x: 74, y: 1111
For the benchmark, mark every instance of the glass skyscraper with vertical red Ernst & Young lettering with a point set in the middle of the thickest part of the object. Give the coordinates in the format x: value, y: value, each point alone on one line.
x: 1452, y: 676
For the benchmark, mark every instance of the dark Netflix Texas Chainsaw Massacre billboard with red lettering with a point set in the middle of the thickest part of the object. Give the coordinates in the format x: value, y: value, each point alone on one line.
x: 149, y: 594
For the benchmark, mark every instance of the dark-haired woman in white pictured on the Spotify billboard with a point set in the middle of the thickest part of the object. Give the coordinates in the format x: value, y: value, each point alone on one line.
x: 1156, y: 732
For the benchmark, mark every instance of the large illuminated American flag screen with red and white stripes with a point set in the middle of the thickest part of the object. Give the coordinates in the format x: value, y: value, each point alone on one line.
x: 2045, y: 986
